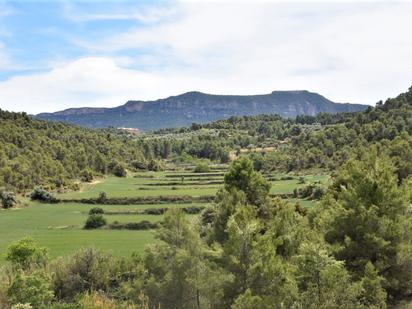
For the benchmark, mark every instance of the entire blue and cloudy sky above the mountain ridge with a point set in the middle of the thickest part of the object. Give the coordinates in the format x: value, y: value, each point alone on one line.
x: 60, y: 54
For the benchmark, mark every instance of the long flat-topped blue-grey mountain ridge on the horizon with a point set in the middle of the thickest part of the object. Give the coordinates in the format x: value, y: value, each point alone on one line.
x: 190, y: 107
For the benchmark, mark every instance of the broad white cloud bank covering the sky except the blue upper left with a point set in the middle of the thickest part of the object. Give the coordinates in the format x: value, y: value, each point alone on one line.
x: 349, y: 52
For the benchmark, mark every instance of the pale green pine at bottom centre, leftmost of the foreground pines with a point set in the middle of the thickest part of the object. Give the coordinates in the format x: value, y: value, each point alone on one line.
x: 179, y: 274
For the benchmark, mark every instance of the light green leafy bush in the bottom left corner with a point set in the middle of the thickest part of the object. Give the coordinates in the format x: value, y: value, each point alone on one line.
x: 34, y: 289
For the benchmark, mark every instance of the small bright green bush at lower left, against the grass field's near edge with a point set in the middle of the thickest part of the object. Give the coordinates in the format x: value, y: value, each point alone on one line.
x: 25, y: 253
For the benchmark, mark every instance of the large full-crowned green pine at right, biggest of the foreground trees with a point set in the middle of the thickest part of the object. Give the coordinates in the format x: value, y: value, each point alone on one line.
x: 366, y: 214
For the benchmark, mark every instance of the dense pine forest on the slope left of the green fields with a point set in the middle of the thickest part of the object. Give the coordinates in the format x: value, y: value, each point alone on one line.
x: 35, y: 152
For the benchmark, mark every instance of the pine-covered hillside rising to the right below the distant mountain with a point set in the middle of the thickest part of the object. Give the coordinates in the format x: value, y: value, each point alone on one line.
x: 324, y: 141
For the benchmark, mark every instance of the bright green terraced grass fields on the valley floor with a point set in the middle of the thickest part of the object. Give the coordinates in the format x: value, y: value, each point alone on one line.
x: 59, y: 227
